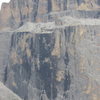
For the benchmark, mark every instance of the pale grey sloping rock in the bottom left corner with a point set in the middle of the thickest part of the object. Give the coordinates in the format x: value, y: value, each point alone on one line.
x: 6, y: 94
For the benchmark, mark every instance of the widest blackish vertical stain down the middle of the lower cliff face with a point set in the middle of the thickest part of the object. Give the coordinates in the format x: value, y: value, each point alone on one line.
x: 46, y: 70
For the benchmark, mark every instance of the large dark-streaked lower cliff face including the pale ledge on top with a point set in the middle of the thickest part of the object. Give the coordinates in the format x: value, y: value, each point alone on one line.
x: 52, y: 64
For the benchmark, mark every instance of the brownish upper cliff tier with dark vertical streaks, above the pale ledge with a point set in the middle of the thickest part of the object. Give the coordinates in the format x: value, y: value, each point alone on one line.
x: 17, y: 12
